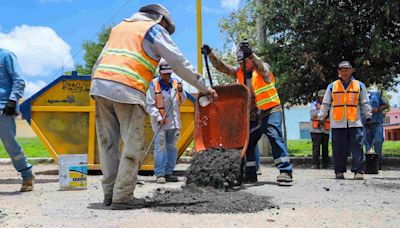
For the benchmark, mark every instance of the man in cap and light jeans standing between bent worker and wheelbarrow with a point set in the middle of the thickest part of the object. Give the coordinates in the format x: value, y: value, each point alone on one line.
x: 164, y: 98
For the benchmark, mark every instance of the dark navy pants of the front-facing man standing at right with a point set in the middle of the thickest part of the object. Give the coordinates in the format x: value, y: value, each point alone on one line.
x: 344, y: 142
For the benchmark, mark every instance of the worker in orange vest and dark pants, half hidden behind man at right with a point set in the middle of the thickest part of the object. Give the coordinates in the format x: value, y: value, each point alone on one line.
x: 319, y: 133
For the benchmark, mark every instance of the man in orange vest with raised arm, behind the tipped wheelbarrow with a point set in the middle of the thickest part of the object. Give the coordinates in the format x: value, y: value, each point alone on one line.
x: 265, y: 110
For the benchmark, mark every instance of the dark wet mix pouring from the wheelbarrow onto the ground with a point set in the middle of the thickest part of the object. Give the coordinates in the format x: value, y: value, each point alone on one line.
x: 210, y: 175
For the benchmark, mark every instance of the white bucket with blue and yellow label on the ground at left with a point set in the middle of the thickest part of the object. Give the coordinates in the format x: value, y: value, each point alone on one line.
x: 72, y: 170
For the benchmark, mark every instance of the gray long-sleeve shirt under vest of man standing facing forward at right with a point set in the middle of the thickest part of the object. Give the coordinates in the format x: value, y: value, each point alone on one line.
x: 363, y: 108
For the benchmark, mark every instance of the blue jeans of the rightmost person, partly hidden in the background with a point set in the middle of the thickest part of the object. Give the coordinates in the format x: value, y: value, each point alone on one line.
x: 375, y: 136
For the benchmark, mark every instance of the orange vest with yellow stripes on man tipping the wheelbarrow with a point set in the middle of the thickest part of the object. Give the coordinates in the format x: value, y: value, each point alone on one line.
x: 265, y: 93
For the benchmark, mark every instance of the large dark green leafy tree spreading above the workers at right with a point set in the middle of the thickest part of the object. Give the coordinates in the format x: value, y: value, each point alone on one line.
x: 307, y: 39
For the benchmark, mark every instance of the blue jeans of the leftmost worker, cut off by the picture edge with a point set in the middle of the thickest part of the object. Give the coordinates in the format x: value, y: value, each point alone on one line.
x: 14, y: 150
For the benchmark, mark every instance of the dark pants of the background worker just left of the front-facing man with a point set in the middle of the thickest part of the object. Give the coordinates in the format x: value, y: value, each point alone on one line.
x: 320, y: 139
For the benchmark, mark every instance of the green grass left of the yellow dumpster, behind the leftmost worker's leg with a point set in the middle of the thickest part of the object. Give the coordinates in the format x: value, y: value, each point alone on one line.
x: 32, y: 147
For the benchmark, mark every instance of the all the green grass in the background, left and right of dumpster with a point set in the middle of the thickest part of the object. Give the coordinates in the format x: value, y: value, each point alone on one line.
x: 298, y: 148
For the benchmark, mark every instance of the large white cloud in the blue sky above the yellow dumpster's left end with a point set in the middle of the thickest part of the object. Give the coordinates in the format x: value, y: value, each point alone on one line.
x: 40, y: 51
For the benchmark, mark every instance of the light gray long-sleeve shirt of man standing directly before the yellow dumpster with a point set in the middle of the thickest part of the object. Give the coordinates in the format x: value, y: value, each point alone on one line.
x: 173, y: 116
